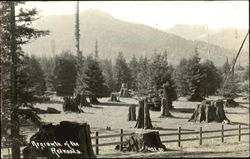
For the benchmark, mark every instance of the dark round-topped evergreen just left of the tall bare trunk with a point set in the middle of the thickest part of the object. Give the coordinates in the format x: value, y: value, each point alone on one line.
x: 65, y: 71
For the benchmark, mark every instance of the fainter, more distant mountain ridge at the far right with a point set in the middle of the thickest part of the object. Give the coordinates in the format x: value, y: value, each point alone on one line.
x: 229, y: 37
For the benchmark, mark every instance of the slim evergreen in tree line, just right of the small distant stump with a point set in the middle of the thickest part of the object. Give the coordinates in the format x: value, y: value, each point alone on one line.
x: 133, y: 65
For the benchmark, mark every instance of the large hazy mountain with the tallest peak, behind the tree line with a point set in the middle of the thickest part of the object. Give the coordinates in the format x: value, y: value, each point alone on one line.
x: 115, y: 35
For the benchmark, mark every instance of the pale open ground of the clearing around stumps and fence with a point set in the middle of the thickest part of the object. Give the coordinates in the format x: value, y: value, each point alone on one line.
x: 114, y: 115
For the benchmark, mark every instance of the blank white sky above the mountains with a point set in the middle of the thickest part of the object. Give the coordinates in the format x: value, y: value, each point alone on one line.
x: 161, y: 14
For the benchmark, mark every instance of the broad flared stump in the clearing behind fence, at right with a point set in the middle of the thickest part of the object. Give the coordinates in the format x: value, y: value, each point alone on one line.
x: 209, y: 111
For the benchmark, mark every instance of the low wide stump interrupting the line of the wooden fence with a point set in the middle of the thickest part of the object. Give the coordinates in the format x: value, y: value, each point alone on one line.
x: 144, y: 142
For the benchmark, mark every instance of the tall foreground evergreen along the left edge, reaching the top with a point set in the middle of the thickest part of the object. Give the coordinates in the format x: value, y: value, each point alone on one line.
x: 16, y: 30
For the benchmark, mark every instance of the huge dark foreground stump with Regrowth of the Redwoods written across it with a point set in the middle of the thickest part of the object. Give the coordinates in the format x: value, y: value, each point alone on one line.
x: 66, y: 140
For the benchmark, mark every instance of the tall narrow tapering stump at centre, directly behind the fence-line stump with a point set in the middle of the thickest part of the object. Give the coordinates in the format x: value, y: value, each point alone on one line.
x: 143, y: 117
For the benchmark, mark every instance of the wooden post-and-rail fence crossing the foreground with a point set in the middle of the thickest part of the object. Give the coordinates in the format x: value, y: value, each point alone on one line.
x: 179, y: 135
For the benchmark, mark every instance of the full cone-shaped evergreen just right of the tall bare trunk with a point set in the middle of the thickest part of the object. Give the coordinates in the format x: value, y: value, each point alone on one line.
x: 91, y: 81
